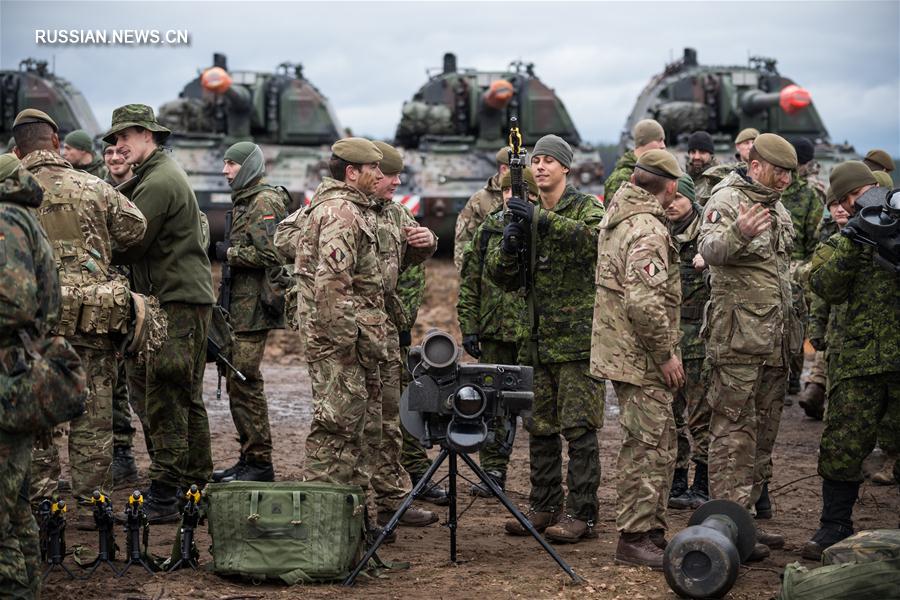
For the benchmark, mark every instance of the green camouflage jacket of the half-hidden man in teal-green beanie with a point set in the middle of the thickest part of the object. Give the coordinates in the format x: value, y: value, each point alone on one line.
x: 694, y: 289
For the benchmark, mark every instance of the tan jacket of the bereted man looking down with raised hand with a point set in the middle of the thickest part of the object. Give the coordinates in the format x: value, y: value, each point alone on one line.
x: 751, y: 320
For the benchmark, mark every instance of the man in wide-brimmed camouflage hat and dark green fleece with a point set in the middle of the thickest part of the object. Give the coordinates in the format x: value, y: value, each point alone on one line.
x: 171, y: 264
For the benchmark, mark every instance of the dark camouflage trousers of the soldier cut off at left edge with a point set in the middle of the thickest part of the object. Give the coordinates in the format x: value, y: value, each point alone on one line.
x: 20, y: 560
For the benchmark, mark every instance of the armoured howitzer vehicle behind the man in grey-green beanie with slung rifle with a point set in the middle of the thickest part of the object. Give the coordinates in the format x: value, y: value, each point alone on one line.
x: 290, y: 119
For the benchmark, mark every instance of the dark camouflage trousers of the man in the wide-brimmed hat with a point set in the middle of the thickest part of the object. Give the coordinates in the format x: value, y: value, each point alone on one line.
x: 176, y: 415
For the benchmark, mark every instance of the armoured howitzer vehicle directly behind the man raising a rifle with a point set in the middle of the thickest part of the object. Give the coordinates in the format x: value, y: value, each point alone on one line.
x: 454, y: 124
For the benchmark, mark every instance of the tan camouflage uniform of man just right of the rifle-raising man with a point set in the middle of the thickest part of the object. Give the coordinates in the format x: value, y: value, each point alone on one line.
x: 635, y: 330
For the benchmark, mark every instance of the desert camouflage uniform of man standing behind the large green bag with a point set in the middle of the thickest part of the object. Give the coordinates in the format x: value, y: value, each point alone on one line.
x: 343, y: 328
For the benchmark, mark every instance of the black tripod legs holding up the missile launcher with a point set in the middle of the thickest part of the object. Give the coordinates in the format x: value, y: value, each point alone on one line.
x: 451, y: 521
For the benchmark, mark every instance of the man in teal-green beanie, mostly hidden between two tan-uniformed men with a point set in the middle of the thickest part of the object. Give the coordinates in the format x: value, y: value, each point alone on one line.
x: 684, y: 216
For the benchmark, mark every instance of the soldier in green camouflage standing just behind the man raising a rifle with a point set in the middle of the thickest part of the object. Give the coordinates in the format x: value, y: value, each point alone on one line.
x: 490, y: 320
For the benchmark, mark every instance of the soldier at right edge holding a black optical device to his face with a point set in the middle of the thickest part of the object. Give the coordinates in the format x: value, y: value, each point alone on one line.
x: 863, y: 362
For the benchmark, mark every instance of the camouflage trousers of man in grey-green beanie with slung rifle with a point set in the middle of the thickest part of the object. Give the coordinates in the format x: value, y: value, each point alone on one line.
x: 247, y: 399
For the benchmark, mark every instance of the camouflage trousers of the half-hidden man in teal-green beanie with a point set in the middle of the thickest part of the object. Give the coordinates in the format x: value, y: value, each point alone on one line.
x: 692, y: 413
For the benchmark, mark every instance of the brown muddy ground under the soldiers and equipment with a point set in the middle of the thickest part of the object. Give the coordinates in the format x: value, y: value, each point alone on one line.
x: 492, y: 564
